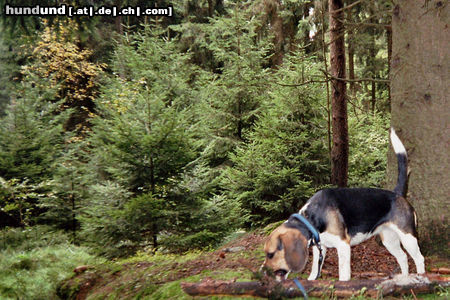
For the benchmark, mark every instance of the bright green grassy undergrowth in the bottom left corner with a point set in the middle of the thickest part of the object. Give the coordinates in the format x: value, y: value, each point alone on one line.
x: 34, y: 261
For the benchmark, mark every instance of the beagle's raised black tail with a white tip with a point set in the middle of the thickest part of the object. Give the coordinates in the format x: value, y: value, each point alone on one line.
x: 402, y: 181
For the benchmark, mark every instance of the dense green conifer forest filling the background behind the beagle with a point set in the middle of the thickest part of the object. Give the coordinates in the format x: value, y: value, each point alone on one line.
x: 128, y: 134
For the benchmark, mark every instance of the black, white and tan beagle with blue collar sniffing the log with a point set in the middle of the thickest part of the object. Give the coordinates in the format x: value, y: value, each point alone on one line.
x: 345, y: 217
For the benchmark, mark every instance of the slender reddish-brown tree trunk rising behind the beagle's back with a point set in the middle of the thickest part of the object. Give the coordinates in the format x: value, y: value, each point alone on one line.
x: 339, y: 152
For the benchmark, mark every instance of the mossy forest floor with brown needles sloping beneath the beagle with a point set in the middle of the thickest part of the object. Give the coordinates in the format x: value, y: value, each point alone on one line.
x: 159, y: 276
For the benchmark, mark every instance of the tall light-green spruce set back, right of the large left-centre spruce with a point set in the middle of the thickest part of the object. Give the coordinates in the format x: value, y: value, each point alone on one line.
x: 235, y: 92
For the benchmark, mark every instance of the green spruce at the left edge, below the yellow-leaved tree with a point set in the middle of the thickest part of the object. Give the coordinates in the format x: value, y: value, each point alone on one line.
x: 31, y: 138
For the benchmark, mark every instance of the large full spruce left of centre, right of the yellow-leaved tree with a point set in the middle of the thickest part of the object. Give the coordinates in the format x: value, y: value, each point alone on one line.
x: 141, y: 140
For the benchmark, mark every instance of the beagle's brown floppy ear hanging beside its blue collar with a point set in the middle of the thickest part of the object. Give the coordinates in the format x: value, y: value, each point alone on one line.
x: 295, y: 250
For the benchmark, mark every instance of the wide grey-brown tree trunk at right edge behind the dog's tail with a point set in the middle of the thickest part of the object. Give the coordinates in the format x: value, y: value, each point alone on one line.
x: 420, y: 111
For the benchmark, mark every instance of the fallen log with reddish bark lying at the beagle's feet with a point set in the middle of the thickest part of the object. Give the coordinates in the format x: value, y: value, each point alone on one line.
x: 316, y: 288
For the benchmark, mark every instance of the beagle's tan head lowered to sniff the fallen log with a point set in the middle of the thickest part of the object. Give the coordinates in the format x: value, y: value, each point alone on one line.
x: 286, y: 250
